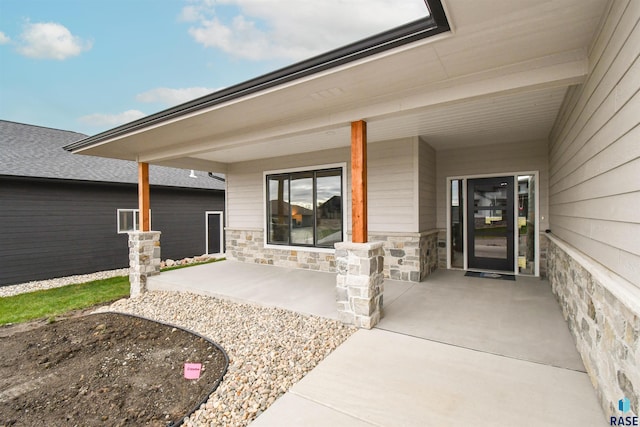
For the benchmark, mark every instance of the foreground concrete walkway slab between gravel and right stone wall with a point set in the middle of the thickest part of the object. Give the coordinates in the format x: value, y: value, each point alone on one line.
x: 381, y: 378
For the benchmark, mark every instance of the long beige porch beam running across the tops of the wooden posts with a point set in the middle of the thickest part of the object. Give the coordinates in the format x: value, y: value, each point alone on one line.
x: 557, y: 71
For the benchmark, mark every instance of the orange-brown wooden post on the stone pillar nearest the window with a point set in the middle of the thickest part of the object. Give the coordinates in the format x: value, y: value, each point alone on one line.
x: 359, y: 181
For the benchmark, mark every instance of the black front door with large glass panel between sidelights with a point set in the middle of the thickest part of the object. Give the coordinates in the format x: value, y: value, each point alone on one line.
x: 490, y: 223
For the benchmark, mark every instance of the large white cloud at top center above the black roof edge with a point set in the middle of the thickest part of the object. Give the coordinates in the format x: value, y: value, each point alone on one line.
x: 293, y: 29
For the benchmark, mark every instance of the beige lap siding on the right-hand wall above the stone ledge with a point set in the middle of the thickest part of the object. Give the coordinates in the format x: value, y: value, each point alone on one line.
x: 594, y: 154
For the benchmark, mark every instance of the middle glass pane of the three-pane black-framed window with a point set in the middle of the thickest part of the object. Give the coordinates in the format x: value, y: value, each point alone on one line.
x: 302, y: 208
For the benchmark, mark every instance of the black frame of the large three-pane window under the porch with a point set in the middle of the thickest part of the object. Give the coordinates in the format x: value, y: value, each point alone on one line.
x: 289, y: 176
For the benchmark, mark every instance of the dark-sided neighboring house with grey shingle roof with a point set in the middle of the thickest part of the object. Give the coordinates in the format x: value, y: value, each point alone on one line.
x: 62, y: 214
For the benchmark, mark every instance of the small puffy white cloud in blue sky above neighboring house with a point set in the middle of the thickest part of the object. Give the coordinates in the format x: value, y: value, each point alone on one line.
x: 49, y: 40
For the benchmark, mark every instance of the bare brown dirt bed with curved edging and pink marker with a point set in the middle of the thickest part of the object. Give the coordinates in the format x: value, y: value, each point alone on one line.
x: 102, y: 369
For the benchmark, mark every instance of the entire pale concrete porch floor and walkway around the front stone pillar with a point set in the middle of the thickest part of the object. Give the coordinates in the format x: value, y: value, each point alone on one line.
x: 452, y: 350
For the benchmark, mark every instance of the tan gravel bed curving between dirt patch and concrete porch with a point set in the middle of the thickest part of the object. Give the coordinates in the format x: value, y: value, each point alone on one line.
x: 269, y: 349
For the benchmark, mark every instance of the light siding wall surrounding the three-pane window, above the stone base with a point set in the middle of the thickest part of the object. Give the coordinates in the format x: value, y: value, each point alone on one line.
x: 392, y: 185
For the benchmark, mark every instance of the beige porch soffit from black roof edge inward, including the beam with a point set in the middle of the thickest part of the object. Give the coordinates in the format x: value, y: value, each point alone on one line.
x: 472, y: 63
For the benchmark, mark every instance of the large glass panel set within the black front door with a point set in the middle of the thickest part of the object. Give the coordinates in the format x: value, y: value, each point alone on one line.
x: 490, y: 220
